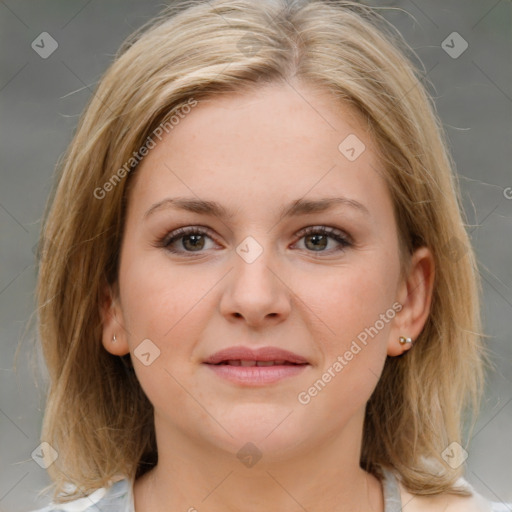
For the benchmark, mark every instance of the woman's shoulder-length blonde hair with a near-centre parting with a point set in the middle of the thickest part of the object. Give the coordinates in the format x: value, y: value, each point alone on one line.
x: 97, y: 416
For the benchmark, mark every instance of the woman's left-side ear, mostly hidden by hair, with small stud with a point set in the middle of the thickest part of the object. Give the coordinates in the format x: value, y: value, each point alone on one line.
x: 113, y: 322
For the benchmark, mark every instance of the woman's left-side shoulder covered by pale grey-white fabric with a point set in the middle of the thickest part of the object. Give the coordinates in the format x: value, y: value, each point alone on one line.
x: 118, y: 495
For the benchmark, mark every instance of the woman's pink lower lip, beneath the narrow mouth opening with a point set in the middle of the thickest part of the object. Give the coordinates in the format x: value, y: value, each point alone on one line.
x: 256, y: 375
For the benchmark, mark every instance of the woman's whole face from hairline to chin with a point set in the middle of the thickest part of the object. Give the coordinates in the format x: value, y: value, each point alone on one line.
x: 321, y: 283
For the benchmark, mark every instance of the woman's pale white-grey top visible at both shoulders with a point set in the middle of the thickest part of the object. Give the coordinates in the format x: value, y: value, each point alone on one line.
x: 119, y: 498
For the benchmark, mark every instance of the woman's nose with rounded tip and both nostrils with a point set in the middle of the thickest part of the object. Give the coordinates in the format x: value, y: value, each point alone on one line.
x: 256, y: 292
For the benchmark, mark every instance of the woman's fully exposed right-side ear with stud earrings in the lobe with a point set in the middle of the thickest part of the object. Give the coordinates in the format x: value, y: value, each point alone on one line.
x: 415, y: 296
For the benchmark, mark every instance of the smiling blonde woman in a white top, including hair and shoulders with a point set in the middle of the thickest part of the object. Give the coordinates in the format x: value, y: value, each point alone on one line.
x: 256, y: 290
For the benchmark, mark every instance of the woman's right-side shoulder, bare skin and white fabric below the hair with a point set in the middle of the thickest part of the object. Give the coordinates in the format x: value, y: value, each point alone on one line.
x: 450, y: 502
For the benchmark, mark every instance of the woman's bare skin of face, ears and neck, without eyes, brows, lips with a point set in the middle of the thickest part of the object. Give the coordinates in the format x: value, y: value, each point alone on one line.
x: 255, y: 152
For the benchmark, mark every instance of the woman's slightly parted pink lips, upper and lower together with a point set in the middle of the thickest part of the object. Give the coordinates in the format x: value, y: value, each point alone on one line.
x: 256, y: 375
